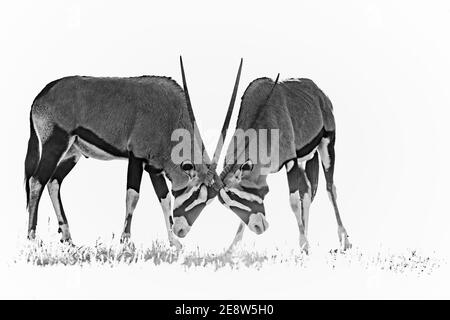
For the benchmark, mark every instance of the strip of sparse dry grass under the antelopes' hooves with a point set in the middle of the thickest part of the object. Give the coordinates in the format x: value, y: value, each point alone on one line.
x: 111, y: 254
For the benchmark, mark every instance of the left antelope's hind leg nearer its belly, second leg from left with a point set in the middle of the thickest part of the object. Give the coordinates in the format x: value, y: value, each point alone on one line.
x: 54, y: 185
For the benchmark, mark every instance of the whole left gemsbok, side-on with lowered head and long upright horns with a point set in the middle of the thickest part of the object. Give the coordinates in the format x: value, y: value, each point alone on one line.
x: 120, y: 118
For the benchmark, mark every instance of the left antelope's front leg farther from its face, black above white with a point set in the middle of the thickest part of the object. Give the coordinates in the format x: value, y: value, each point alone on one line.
x: 134, y: 177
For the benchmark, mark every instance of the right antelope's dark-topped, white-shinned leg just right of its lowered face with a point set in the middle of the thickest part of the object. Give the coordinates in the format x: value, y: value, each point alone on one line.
x: 299, y: 198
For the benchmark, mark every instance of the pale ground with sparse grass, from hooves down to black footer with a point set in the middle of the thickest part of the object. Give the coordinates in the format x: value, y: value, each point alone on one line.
x: 108, y: 269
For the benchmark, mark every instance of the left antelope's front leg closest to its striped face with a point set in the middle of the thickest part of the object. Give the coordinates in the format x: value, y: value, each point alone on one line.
x: 160, y: 186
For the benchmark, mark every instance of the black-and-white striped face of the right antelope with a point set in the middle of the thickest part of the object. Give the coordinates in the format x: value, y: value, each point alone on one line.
x: 244, y: 191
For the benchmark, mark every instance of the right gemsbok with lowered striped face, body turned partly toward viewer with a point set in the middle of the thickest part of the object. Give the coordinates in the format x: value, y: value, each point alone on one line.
x: 299, y: 118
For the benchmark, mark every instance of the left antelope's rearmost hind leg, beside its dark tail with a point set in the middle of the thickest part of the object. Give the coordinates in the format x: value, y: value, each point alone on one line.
x: 53, y: 150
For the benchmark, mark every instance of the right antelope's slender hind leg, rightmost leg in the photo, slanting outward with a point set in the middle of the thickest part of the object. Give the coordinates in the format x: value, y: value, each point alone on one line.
x: 327, y: 155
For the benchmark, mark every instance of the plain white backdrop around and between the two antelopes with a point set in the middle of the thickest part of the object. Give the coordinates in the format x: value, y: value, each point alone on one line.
x: 384, y: 64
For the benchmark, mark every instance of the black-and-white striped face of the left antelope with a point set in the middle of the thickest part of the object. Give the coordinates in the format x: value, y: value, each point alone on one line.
x: 192, y: 199
